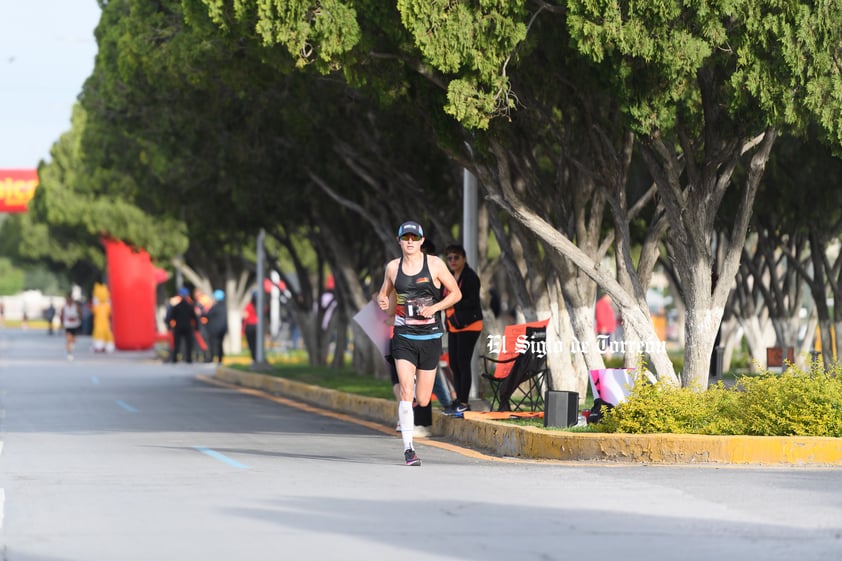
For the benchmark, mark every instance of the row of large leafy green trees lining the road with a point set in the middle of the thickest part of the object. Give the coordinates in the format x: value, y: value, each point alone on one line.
x: 641, y: 132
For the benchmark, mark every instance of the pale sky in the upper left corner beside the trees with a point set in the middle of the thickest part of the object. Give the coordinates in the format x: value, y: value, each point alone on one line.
x: 47, y: 50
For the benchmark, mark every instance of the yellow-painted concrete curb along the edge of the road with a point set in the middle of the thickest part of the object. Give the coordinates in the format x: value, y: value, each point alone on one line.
x: 505, y: 439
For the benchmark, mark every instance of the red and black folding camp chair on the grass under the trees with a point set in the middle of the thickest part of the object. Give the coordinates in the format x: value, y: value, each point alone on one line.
x: 520, y: 364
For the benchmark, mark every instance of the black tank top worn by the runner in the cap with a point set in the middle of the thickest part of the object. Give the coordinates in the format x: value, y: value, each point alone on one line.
x: 414, y: 292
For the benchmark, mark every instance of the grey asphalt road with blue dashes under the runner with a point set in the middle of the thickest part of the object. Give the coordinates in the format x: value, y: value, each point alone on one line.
x: 120, y: 457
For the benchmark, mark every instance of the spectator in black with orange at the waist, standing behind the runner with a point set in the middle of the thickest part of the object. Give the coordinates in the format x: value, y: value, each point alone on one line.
x: 464, y: 324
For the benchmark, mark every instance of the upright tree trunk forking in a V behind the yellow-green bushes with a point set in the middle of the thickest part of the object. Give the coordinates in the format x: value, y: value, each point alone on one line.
x: 691, y: 210
